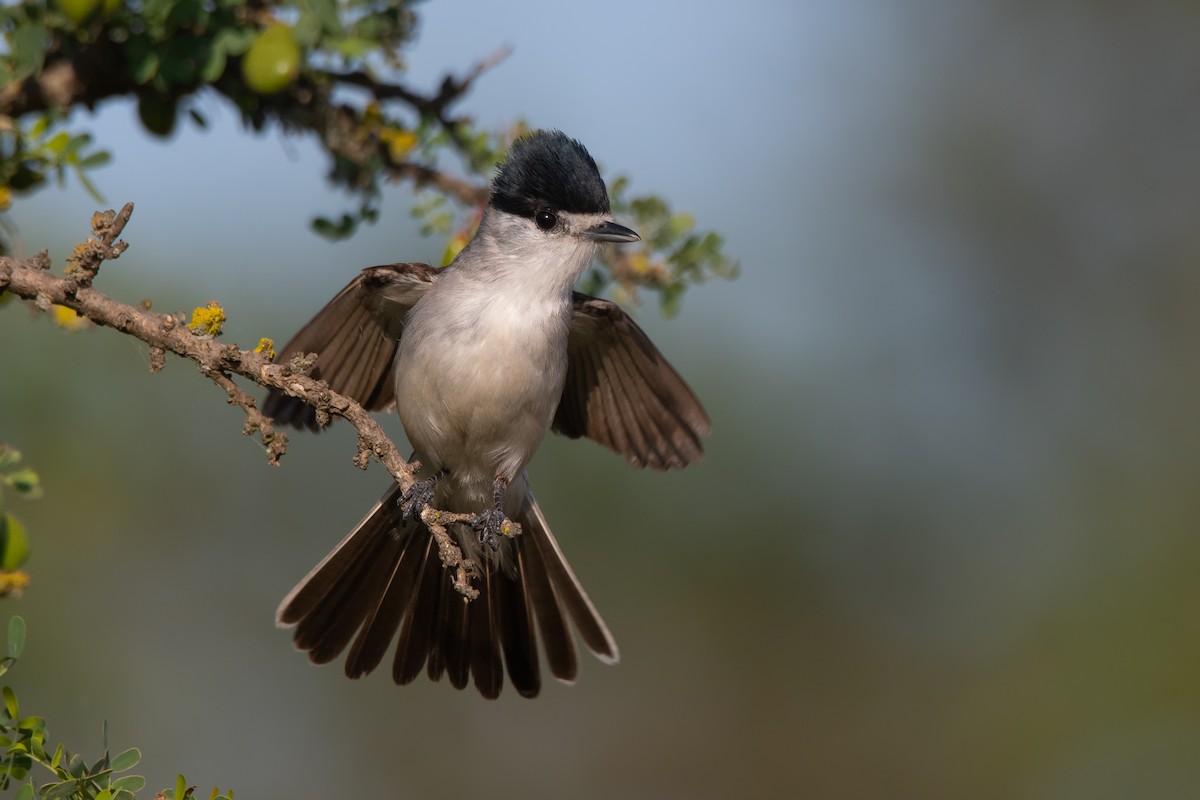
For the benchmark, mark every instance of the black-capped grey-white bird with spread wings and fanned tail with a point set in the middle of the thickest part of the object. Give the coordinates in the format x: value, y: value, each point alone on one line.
x: 482, y: 359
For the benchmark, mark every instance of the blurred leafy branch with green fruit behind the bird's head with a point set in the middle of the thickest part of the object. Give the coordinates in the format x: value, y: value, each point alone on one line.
x: 326, y: 69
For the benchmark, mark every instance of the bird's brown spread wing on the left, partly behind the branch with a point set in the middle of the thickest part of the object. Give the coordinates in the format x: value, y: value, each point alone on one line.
x: 355, y: 338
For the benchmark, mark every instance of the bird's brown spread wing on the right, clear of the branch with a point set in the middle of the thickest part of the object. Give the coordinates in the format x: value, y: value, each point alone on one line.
x: 622, y: 393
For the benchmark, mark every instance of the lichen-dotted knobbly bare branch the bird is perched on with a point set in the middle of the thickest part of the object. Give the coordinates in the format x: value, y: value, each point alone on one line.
x: 32, y: 280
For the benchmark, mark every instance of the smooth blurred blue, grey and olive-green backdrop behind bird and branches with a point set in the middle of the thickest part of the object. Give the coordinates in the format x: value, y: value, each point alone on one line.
x: 945, y: 540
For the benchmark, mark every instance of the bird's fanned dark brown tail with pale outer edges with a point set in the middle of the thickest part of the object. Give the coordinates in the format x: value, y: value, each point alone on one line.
x: 386, y: 576
